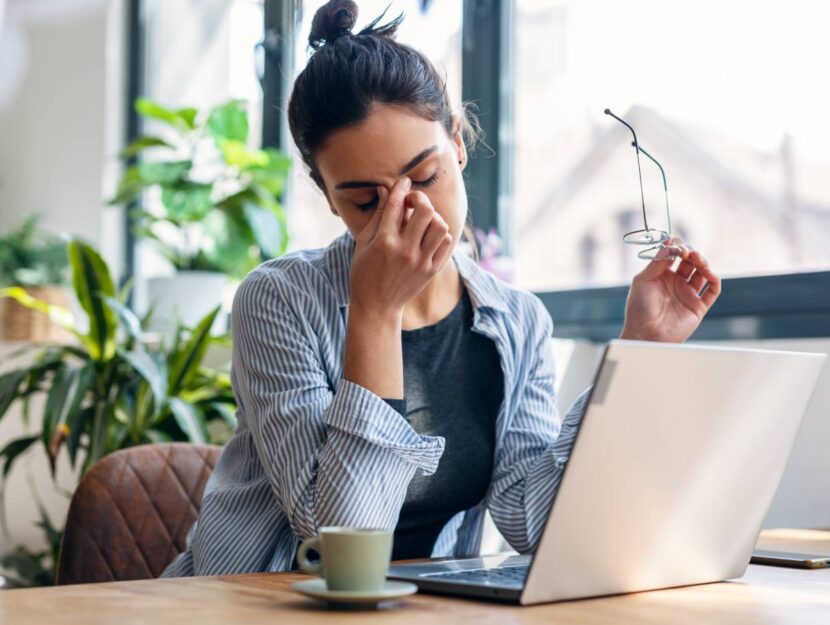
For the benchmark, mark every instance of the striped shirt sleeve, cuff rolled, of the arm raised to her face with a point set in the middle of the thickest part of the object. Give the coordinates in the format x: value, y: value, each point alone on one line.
x: 332, y: 457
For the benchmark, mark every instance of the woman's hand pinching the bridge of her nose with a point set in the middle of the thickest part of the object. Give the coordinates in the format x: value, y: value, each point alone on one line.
x: 395, y: 258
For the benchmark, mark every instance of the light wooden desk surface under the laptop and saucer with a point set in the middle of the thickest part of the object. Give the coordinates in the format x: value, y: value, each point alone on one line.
x: 765, y: 595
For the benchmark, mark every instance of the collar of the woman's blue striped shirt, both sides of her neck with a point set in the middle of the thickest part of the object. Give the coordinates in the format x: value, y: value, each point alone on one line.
x: 485, y: 291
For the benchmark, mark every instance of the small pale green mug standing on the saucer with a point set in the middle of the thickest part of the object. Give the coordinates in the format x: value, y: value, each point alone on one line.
x: 350, y: 558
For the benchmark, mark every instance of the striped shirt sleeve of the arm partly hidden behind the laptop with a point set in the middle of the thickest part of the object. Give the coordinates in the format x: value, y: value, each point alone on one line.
x: 535, y: 448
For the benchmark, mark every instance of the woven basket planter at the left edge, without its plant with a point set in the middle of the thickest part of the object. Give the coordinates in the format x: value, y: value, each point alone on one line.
x: 18, y: 323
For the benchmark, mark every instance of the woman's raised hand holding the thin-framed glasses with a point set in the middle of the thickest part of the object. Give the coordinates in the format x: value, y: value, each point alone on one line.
x: 665, y: 305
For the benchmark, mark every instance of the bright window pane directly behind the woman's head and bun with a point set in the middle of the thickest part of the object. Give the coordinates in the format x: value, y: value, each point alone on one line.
x: 432, y: 27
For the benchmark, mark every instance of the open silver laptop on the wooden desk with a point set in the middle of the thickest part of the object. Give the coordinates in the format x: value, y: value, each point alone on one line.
x: 675, y: 463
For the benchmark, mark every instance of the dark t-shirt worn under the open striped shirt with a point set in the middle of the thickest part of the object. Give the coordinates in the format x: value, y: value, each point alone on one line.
x: 453, y: 387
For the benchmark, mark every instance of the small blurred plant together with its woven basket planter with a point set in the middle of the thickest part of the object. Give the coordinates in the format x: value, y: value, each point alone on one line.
x: 35, y: 261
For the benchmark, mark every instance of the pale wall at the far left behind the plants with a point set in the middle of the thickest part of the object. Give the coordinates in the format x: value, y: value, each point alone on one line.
x: 60, y: 130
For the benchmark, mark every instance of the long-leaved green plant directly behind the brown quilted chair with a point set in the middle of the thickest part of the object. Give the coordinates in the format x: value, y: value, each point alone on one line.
x: 109, y: 389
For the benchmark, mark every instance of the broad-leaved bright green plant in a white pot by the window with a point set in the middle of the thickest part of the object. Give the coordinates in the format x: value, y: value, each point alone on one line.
x: 212, y: 204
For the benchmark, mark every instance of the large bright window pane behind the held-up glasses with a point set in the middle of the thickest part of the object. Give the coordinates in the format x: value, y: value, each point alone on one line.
x: 726, y: 95
